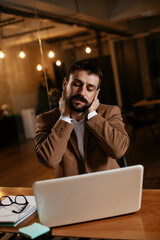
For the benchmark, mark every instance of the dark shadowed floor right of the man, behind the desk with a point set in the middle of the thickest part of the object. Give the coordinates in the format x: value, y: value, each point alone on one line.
x: 145, y: 149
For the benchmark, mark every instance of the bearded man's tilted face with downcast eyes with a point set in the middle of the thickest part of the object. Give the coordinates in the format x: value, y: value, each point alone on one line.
x: 80, y: 90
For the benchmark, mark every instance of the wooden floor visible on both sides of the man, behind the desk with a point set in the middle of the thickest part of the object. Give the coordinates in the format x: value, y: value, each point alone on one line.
x: 19, y: 166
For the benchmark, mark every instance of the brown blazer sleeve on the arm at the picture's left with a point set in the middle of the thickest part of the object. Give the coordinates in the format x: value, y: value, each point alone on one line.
x: 51, y: 141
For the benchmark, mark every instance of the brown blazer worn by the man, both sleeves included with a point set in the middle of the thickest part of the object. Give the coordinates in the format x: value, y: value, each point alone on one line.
x: 105, y: 140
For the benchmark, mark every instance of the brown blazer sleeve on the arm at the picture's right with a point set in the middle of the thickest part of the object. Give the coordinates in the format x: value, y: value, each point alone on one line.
x: 109, y: 132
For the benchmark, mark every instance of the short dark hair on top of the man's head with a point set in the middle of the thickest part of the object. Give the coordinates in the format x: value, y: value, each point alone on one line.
x: 88, y: 66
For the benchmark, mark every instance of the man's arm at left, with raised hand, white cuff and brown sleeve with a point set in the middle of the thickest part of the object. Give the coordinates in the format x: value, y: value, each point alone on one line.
x: 52, y: 136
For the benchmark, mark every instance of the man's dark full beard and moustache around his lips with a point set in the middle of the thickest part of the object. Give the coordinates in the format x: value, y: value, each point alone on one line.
x: 77, y: 109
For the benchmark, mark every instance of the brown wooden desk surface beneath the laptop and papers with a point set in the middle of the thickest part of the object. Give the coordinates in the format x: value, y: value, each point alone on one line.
x: 144, y: 224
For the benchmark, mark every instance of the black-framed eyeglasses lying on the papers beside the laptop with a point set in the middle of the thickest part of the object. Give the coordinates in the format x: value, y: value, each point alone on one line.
x: 19, y: 200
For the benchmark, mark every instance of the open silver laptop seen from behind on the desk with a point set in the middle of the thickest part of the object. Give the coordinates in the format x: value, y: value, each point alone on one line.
x: 87, y: 197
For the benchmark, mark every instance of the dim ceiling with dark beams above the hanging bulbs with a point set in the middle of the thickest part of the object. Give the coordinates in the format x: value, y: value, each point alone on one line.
x: 60, y: 19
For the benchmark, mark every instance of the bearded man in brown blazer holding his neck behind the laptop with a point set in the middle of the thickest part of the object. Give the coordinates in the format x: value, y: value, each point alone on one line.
x: 82, y: 135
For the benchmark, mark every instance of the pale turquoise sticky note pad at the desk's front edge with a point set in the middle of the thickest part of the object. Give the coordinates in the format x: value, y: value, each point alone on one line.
x: 34, y: 230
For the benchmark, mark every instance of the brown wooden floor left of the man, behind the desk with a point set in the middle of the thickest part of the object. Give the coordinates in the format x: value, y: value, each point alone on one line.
x: 19, y: 166
